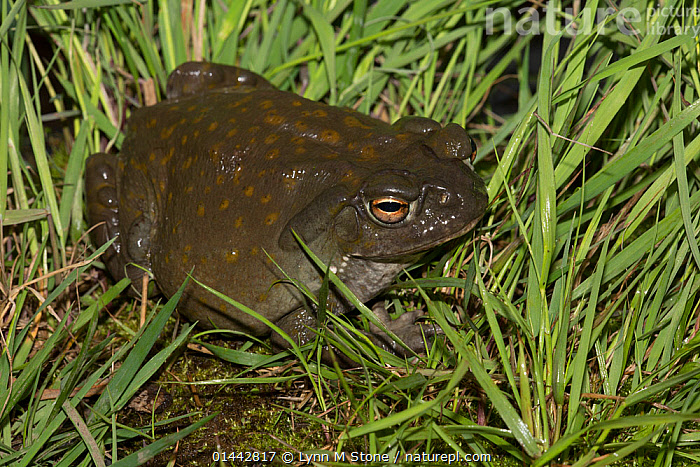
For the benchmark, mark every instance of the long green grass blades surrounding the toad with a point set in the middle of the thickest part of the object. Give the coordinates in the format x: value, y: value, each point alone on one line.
x: 570, y: 316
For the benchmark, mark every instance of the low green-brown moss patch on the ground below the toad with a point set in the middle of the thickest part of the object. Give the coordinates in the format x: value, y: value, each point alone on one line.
x: 251, y: 417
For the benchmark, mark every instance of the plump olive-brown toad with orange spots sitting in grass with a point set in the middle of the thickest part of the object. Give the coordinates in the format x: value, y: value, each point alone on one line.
x: 214, y: 180
